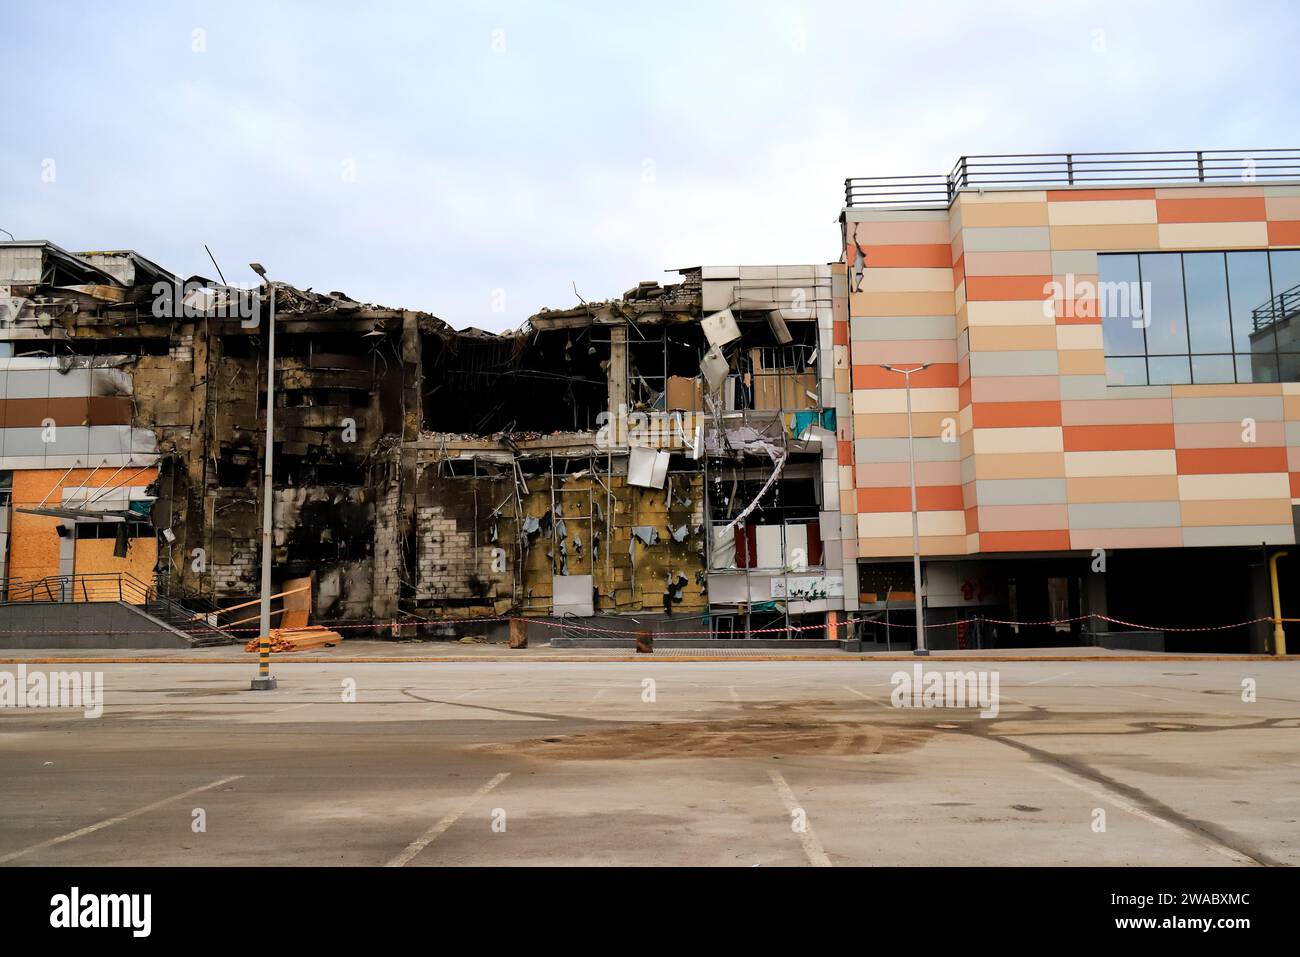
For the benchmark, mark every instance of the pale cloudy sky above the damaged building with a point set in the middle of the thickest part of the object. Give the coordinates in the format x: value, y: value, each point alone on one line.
x: 479, y: 159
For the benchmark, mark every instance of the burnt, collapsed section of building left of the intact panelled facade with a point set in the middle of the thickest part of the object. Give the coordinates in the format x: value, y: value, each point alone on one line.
x: 662, y: 461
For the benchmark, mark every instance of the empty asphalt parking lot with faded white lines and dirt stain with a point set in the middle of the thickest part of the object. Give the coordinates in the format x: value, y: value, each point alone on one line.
x: 725, y: 763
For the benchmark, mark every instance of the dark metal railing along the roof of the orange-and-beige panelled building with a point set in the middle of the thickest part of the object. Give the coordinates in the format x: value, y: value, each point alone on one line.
x: 1028, y: 171
